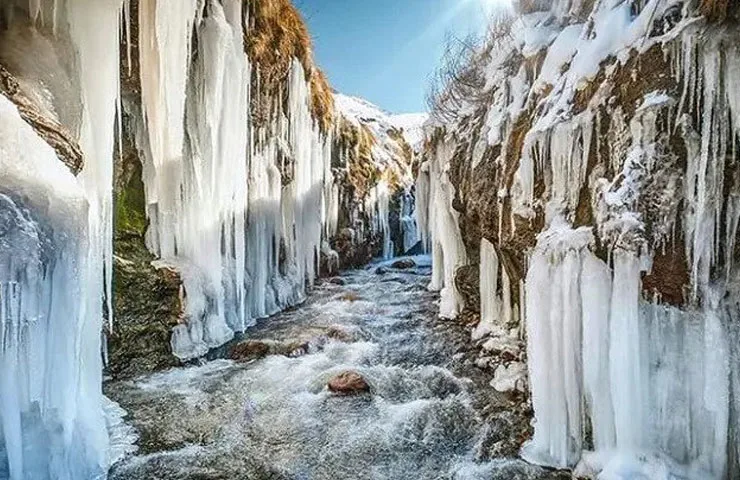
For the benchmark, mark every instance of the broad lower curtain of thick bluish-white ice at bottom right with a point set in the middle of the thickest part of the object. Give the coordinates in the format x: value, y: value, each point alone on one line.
x: 653, y: 381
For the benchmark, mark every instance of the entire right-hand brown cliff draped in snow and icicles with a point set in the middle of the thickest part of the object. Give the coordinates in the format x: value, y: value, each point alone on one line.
x: 584, y: 158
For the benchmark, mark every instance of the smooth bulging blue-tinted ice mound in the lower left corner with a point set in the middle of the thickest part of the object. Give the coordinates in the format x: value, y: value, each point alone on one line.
x: 53, y: 425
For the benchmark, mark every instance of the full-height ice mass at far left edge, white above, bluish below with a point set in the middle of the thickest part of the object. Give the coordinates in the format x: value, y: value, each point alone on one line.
x: 55, y: 254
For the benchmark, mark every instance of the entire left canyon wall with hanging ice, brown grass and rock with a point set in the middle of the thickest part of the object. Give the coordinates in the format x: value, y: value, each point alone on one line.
x: 202, y: 138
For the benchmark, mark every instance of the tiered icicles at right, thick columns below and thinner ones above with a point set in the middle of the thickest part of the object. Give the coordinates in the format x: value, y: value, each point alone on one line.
x: 658, y: 385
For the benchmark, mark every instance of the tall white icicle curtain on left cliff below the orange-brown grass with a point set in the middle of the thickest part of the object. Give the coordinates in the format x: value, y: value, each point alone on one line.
x: 245, y: 244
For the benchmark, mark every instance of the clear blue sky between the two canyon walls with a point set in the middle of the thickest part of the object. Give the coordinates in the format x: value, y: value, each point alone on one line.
x: 385, y: 50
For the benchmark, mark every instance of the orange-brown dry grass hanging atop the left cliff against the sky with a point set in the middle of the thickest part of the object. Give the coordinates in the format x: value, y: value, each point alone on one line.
x: 277, y: 34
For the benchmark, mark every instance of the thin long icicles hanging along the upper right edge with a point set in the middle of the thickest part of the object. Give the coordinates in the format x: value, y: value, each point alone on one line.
x: 709, y: 72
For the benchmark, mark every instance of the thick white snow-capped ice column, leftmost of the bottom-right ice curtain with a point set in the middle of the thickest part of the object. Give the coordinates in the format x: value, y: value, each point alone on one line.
x: 555, y: 310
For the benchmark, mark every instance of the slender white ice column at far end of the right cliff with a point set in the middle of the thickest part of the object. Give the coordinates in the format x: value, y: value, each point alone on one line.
x: 448, y: 250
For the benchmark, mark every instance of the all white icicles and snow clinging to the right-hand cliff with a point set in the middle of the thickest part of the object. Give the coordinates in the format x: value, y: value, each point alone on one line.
x: 621, y: 387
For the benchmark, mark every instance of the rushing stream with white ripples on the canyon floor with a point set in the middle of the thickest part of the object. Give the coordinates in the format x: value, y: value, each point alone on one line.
x: 274, y: 418
